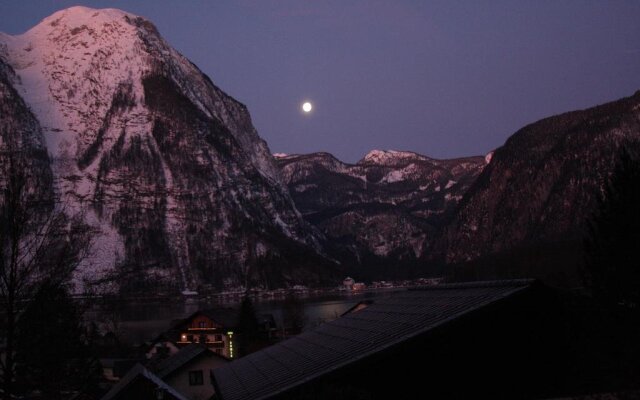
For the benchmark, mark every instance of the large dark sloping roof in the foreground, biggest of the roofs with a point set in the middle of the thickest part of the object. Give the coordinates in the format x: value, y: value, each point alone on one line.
x: 383, y: 324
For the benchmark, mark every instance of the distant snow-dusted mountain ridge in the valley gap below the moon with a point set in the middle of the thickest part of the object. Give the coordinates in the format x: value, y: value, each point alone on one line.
x: 390, y: 204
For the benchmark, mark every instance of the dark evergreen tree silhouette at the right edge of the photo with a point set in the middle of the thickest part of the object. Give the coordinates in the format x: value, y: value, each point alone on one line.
x: 613, y: 243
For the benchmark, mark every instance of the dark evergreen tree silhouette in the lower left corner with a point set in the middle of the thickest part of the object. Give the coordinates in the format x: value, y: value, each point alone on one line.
x: 53, y: 356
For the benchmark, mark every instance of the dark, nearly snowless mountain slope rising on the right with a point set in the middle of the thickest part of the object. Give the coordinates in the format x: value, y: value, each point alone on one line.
x: 543, y: 184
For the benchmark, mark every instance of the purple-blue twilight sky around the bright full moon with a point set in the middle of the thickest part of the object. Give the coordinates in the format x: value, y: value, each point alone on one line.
x: 442, y: 78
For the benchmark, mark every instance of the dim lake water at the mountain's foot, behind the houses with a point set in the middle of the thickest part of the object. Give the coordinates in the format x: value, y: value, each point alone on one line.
x: 139, y: 322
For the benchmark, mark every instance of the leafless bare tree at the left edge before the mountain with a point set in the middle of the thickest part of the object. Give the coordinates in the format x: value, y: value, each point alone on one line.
x: 38, y: 243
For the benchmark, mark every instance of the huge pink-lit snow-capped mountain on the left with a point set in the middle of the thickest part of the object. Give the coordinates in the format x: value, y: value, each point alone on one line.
x: 165, y: 166
